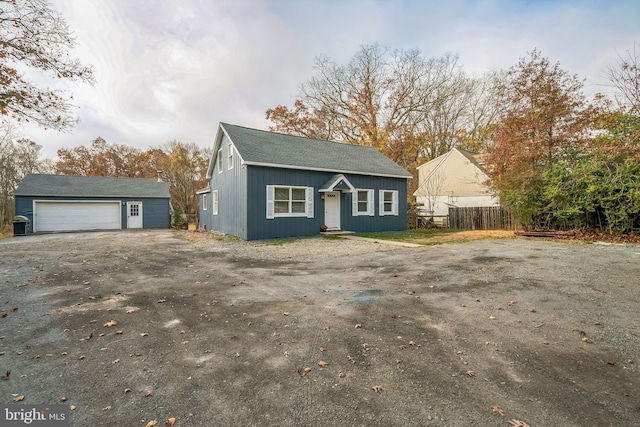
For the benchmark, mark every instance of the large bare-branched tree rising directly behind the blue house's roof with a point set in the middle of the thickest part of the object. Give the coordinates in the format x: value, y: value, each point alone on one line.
x: 407, y: 106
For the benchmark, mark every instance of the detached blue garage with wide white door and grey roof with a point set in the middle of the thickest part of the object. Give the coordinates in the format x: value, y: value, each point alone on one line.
x: 76, y: 203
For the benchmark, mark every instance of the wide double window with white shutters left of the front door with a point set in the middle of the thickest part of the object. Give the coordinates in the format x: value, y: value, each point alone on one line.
x: 289, y: 201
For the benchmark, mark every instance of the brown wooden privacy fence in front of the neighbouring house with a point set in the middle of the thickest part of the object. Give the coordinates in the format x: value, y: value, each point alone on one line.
x: 481, y: 218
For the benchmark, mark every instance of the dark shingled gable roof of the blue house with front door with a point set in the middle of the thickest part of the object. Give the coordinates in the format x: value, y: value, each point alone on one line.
x: 262, y: 148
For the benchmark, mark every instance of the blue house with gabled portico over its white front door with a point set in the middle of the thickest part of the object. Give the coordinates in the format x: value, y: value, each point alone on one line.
x: 266, y: 185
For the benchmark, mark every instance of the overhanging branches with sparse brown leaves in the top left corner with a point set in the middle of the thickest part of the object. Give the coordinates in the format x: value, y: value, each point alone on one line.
x: 35, y: 36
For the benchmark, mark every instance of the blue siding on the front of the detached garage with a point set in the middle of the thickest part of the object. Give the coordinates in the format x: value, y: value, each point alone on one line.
x: 155, y: 211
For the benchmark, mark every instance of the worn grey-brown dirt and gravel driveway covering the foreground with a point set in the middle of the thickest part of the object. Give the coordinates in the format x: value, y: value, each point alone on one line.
x: 319, y: 332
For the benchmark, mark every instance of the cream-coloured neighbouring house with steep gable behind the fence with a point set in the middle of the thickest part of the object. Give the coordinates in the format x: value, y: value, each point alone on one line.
x: 455, y: 179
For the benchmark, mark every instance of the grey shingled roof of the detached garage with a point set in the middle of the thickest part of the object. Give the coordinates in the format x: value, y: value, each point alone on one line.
x: 90, y: 186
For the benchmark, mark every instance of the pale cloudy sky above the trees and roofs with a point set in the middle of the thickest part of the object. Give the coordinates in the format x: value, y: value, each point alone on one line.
x: 168, y: 69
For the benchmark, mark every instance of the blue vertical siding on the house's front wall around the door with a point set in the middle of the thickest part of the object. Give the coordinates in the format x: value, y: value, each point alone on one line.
x: 259, y: 227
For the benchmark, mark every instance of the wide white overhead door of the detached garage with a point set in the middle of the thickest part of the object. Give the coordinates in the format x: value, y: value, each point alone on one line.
x: 71, y: 216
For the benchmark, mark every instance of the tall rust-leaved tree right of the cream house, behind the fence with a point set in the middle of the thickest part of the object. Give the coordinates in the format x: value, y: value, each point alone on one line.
x: 546, y: 120
